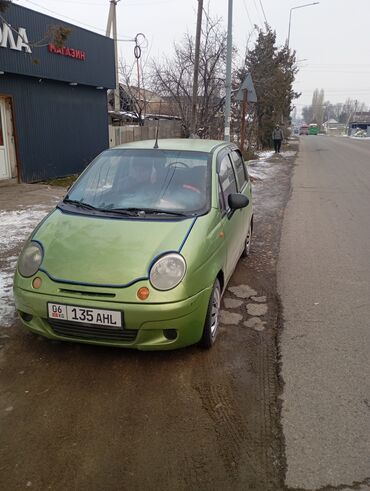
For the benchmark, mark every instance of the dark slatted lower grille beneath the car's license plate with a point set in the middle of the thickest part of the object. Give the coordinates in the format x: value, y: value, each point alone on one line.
x: 91, y: 331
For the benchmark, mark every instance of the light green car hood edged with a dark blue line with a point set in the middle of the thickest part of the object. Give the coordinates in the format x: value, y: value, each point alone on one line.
x: 105, y: 251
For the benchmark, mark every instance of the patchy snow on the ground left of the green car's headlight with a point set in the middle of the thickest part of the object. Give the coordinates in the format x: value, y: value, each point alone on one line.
x: 15, y: 227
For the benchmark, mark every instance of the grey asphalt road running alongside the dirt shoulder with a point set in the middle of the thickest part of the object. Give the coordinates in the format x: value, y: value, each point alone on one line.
x: 324, y: 284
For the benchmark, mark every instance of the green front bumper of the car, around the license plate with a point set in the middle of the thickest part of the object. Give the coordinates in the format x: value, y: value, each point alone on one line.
x: 146, y: 326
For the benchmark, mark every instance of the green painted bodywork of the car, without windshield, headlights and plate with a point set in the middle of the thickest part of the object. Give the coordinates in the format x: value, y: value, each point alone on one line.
x: 101, y: 262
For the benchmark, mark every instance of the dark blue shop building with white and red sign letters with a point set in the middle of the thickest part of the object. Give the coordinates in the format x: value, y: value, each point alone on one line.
x: 53, y: 100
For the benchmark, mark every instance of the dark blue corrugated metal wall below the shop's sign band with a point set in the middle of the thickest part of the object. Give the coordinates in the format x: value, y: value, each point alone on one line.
x: 59, y: 128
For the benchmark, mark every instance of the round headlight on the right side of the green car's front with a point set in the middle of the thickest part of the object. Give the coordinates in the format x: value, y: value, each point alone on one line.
x: 168, y: 271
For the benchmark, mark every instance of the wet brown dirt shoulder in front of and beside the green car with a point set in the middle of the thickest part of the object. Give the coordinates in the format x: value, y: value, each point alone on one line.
x: 76, y: 417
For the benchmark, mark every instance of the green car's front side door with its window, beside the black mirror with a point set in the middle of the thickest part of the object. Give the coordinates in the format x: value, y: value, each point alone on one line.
x: 232, y: 220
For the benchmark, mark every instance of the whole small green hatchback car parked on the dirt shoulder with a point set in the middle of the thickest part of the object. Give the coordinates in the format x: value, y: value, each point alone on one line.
x: 140, y: 250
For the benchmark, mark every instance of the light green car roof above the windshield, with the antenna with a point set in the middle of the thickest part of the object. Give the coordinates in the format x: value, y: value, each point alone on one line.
x: 188, y: 144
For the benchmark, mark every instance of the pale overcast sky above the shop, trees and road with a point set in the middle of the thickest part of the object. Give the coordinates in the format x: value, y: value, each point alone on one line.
x: 331, y: 39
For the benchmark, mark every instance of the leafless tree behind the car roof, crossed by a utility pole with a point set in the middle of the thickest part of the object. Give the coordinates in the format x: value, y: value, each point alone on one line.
x: 173, y: 79
